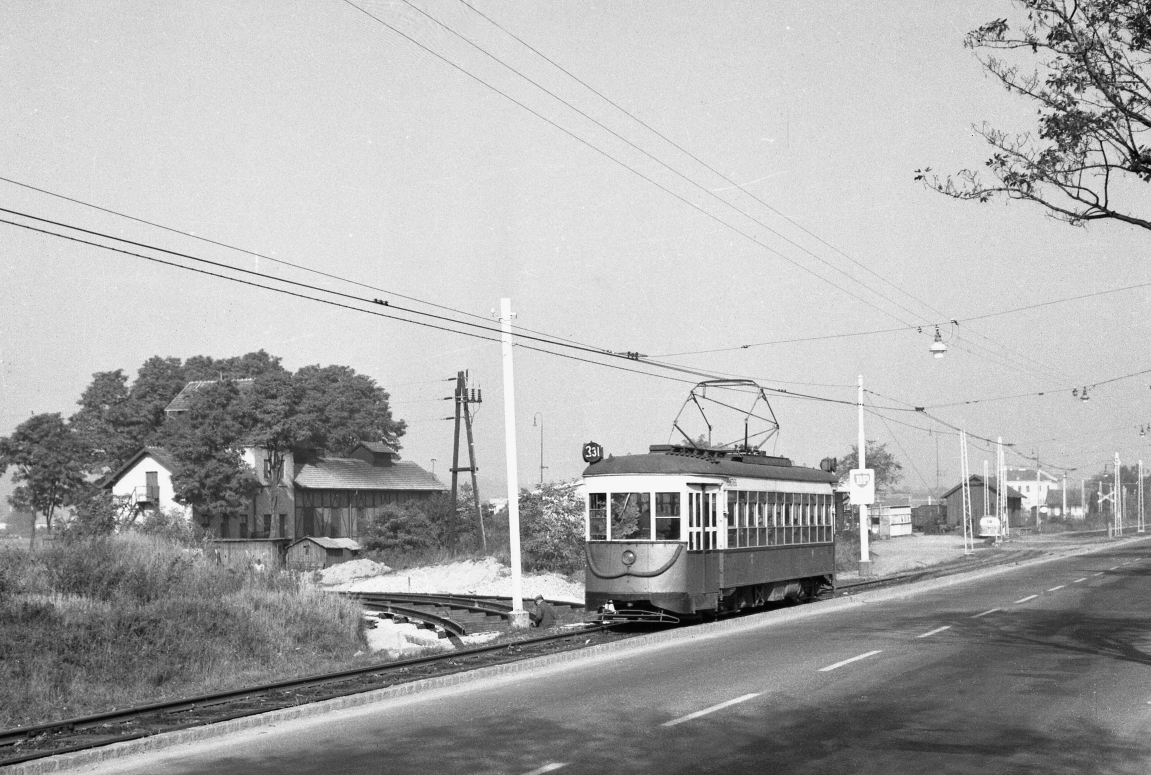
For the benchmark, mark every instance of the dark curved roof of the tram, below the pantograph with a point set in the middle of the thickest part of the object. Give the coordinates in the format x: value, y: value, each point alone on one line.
x: 707, y: 462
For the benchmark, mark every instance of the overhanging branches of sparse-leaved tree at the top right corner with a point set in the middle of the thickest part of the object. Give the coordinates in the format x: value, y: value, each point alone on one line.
x: 1093, y: 89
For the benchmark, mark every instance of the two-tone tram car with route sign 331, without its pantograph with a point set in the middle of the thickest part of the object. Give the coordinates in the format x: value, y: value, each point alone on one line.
x: 690, y: 533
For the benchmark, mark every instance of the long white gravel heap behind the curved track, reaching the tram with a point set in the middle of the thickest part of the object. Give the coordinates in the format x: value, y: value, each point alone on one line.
x: 483, y: 578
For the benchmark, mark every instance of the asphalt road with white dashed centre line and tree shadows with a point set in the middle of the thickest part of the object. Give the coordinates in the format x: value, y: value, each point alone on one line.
x: 1045, y: 670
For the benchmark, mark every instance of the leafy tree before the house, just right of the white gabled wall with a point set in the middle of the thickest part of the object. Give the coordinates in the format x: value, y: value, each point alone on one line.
x: 207, y: 443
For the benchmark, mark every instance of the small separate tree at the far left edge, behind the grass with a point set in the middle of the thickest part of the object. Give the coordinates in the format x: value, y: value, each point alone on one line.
x: 48, y: 462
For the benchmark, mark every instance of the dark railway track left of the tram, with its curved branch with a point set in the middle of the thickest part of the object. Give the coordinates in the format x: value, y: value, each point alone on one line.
x: 70, y: 735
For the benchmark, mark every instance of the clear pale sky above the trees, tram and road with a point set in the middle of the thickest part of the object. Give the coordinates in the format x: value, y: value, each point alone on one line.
x: 364, y: 141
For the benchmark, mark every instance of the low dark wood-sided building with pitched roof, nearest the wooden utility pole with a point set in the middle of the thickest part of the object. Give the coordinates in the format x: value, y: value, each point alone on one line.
x: 336, y: 495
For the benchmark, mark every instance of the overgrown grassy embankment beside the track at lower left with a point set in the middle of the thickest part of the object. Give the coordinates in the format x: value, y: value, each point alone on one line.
x: 94, y: 626
